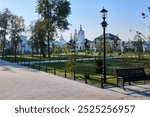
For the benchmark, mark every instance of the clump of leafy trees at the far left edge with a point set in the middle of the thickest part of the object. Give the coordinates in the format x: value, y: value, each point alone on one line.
x: 10, y: 25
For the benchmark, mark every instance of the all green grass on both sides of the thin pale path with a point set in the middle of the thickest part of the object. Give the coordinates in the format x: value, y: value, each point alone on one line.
x: 83, y: 67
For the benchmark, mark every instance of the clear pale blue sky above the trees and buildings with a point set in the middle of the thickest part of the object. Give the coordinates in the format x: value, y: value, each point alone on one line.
x: 122, y: 16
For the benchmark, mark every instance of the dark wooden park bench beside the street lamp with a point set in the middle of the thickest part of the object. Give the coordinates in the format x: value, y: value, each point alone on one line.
x: 131, y: 75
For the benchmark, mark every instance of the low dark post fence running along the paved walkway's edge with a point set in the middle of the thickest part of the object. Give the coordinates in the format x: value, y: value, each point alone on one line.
x: 85, y: 77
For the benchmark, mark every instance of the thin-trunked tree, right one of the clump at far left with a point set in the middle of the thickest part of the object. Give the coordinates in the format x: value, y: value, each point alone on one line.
x: 17, y: 26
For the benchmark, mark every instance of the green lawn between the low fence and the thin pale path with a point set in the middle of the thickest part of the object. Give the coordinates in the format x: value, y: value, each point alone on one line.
x: 83, y: 67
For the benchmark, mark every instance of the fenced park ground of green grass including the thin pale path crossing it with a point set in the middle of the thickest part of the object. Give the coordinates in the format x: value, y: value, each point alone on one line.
x: 83, y: 66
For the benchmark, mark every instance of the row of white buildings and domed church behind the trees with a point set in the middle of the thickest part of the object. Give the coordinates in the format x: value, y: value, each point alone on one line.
x: 79, y: 37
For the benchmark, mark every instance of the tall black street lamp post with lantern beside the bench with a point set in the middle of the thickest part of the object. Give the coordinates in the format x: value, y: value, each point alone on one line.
x: 104, y: 25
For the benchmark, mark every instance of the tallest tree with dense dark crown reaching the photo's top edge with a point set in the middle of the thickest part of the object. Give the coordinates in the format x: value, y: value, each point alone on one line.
x: 54, y: 13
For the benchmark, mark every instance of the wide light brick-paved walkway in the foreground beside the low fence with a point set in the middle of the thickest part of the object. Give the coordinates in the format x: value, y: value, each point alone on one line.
x: 21, y: 83
